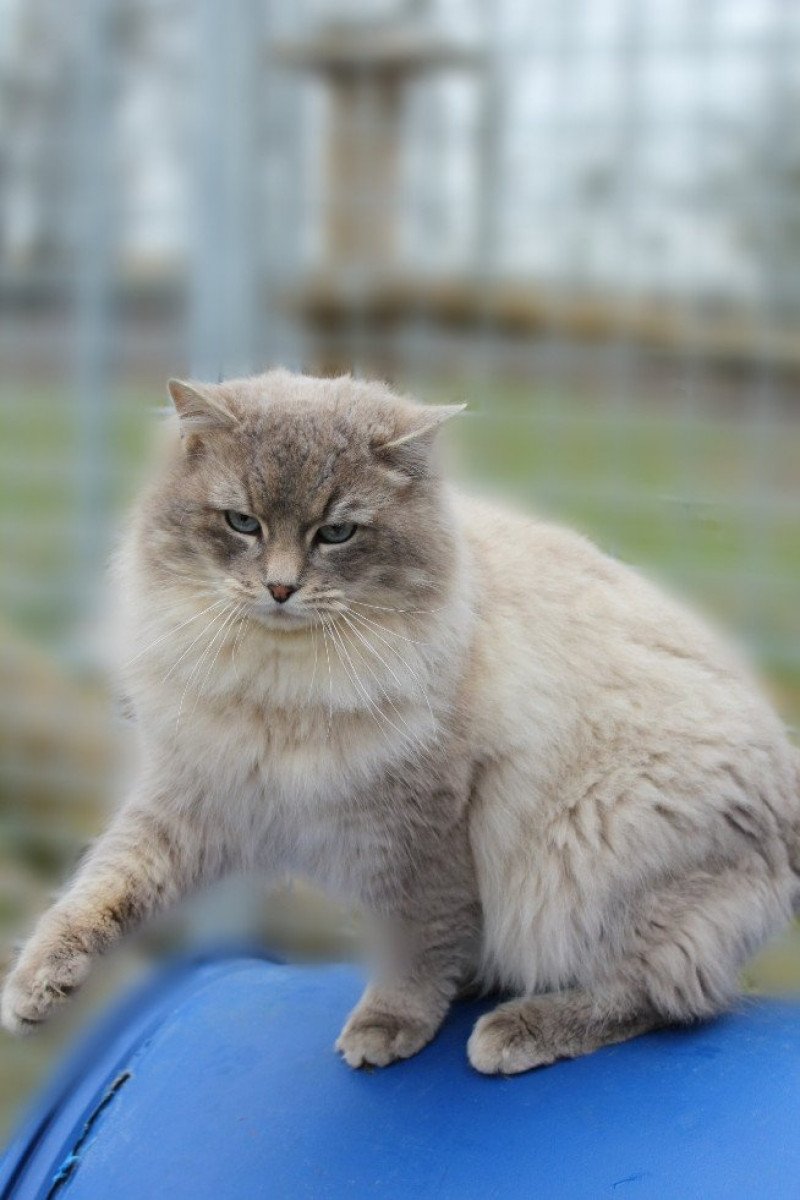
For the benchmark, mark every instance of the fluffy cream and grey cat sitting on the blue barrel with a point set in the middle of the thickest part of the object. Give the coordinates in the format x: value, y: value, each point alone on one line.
x: 536, y: 772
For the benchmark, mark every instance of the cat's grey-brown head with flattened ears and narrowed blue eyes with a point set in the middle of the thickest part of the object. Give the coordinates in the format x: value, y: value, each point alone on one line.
x: 297, y: 499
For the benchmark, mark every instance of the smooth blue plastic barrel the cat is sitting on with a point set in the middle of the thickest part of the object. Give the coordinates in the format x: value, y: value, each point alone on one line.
x: 221, y: 1083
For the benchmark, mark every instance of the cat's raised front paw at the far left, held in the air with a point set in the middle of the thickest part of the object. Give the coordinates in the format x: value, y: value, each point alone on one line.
x: 41, y: 981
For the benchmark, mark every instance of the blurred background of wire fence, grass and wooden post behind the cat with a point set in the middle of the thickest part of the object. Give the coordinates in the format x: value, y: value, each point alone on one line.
x: 584, y: 219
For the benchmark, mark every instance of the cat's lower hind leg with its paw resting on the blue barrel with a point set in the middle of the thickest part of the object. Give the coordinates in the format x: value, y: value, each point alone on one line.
x: 681, y: 964
